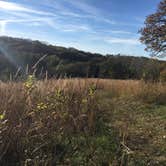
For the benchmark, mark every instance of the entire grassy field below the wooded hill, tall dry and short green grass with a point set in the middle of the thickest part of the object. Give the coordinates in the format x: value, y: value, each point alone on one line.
x: 82, y: 122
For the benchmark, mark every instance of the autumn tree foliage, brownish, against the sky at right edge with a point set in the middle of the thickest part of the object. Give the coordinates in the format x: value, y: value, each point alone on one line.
x: 154, y: 32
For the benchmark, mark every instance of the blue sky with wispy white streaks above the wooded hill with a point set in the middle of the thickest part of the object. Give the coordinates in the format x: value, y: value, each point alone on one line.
x: 100, y: 26
